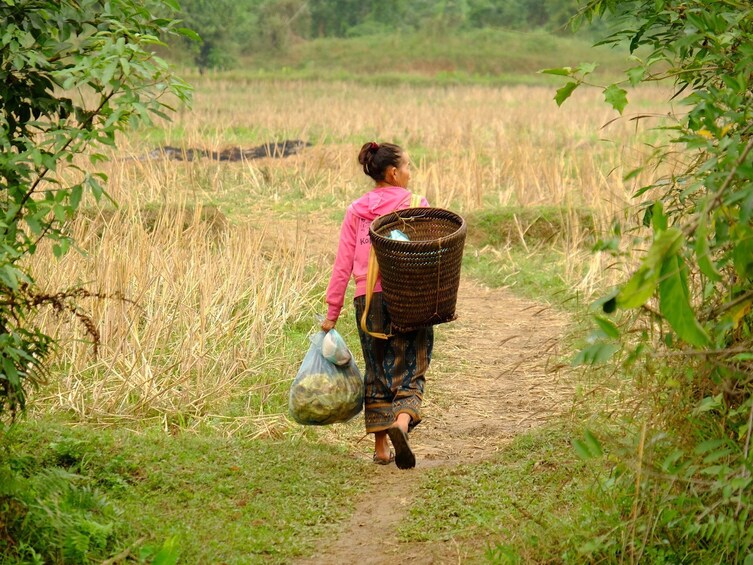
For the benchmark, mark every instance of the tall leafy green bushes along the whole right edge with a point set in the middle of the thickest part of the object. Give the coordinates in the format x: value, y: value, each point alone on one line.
x: 690, y: 297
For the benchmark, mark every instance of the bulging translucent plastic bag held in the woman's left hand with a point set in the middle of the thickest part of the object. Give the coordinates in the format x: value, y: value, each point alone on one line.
x: 323, y: 393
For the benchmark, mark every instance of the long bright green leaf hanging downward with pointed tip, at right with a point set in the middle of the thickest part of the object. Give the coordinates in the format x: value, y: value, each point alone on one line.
x: 674, y: 302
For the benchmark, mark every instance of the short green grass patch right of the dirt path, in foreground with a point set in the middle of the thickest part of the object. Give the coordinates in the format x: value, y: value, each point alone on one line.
x: 523, y: 505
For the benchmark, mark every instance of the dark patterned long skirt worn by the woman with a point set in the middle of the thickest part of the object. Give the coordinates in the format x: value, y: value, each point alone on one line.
x: 395, y: 367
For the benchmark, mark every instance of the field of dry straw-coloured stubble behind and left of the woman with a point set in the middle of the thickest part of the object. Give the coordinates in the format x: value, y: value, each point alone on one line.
x: 217, y: 258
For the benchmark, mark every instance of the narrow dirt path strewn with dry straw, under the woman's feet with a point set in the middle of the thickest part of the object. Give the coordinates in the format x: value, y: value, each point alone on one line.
x: 489, y: 381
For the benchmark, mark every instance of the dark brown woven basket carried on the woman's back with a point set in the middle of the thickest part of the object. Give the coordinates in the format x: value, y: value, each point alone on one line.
x: 420, y: 277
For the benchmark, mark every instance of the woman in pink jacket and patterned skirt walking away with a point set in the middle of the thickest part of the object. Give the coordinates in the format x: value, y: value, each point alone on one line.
x: 395, y: 367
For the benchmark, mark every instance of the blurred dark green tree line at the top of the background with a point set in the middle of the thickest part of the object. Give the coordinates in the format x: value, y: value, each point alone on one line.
x: 227, y: 28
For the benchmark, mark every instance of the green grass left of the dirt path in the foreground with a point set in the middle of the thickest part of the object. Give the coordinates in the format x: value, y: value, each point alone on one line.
x: 145, y: 496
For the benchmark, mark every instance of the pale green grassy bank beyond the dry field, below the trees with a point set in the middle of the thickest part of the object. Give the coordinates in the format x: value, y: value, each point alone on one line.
x: 483, y: 56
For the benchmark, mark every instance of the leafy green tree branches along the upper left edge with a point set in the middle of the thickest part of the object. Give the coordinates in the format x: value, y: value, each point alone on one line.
x: 72, y: 74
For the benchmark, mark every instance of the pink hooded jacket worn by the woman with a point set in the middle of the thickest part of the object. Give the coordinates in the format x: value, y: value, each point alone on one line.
x: 353, y: 250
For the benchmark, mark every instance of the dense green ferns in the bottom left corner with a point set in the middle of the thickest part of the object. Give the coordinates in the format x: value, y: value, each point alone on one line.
x: 54, y: 510
